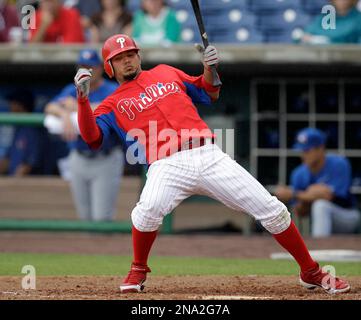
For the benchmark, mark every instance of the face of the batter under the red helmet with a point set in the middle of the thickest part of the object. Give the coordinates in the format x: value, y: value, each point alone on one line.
x: 126, y: 65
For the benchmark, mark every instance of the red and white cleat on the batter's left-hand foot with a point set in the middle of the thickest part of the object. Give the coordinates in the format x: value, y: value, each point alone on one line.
x: 135, y: 279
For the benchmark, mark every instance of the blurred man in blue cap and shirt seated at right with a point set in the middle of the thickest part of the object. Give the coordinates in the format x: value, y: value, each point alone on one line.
x: 321, y: 187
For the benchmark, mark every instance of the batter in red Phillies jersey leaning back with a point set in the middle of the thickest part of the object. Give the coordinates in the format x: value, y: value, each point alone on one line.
x: 156, y: 107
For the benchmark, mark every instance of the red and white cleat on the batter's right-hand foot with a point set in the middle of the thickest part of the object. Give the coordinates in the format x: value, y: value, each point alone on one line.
x: 318, y: 278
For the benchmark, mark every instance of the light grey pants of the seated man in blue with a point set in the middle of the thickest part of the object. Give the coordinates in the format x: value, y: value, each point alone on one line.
x: 328, y: 218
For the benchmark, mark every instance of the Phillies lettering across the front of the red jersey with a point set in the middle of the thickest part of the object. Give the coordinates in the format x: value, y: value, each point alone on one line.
x: 146, y: 99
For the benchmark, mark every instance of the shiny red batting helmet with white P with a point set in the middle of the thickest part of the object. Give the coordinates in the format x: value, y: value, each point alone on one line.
x: 112, y: 47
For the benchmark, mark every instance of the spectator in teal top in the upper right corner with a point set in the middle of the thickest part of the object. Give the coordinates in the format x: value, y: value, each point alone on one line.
x: 348, y: 25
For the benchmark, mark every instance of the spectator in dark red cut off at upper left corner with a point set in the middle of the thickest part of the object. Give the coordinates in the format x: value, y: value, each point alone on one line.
x: 9, y: 20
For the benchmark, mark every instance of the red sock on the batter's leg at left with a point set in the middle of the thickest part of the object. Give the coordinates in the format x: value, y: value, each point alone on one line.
x: 142, y: 243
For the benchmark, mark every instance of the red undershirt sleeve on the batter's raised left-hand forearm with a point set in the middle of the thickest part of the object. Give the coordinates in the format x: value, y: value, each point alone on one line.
x: 89, y: 130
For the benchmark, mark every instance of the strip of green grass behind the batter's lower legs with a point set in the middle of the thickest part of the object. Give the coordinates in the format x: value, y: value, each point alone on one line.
x: 75, y: 264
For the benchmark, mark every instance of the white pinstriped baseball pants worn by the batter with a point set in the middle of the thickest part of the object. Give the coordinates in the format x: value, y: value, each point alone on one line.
x: 209, y: 171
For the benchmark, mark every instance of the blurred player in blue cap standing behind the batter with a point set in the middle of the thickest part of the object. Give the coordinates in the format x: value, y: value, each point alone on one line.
x: 94, y: 175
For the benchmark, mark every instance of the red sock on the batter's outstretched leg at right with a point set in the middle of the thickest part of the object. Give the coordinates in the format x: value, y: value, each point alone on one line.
x: 291, y: 240
